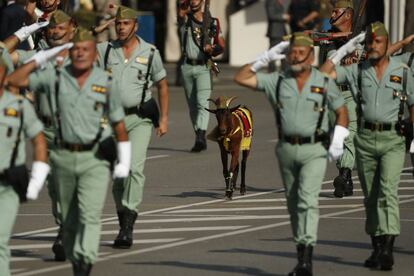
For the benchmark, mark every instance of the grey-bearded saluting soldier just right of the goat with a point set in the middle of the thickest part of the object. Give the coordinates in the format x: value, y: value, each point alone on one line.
x: 300, y: 97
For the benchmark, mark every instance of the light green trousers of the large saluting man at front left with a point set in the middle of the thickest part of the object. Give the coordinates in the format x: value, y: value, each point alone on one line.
x: 82, y: 181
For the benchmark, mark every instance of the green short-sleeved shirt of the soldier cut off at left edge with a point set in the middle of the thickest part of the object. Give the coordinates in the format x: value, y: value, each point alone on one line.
x: 10, y: 111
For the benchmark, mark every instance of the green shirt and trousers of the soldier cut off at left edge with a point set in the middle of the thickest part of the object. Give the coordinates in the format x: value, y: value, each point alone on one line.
x: 11, y: 107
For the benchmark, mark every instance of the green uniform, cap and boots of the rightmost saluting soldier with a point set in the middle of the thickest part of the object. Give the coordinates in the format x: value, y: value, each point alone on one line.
x: 380, y: 149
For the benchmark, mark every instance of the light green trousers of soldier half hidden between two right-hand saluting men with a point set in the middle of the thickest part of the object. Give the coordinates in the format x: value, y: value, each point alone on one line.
x: 347, y: 160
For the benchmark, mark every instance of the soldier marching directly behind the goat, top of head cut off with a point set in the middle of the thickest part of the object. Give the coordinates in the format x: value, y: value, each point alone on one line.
x: 196, y: 65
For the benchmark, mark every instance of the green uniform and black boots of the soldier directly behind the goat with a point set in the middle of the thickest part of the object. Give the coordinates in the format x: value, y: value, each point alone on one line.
x: 196, y: 75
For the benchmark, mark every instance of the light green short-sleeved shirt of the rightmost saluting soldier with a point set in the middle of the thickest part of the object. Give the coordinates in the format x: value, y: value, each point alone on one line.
x: 379, y: 102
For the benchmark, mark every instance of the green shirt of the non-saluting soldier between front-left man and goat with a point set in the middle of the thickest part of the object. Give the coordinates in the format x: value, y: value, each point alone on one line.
x: 131, y: 73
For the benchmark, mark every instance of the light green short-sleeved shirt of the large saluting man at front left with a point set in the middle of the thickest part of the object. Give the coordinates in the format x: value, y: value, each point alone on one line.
x: 81, y: 109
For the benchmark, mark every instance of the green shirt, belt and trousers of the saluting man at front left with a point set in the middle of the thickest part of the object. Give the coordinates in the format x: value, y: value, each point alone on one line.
x: 82, y: 176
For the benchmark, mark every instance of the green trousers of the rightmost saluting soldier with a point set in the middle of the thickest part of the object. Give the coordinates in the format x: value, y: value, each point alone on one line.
x: 380, y: 159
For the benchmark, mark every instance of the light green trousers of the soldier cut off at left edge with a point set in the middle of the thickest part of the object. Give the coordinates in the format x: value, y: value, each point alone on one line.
x: 9, y: 205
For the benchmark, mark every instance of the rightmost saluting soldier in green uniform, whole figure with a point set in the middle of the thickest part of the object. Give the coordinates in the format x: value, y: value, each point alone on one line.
x: 382, y: 86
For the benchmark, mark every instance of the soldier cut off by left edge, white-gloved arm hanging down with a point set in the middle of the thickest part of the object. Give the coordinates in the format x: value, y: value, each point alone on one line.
x: 17, y: 122
